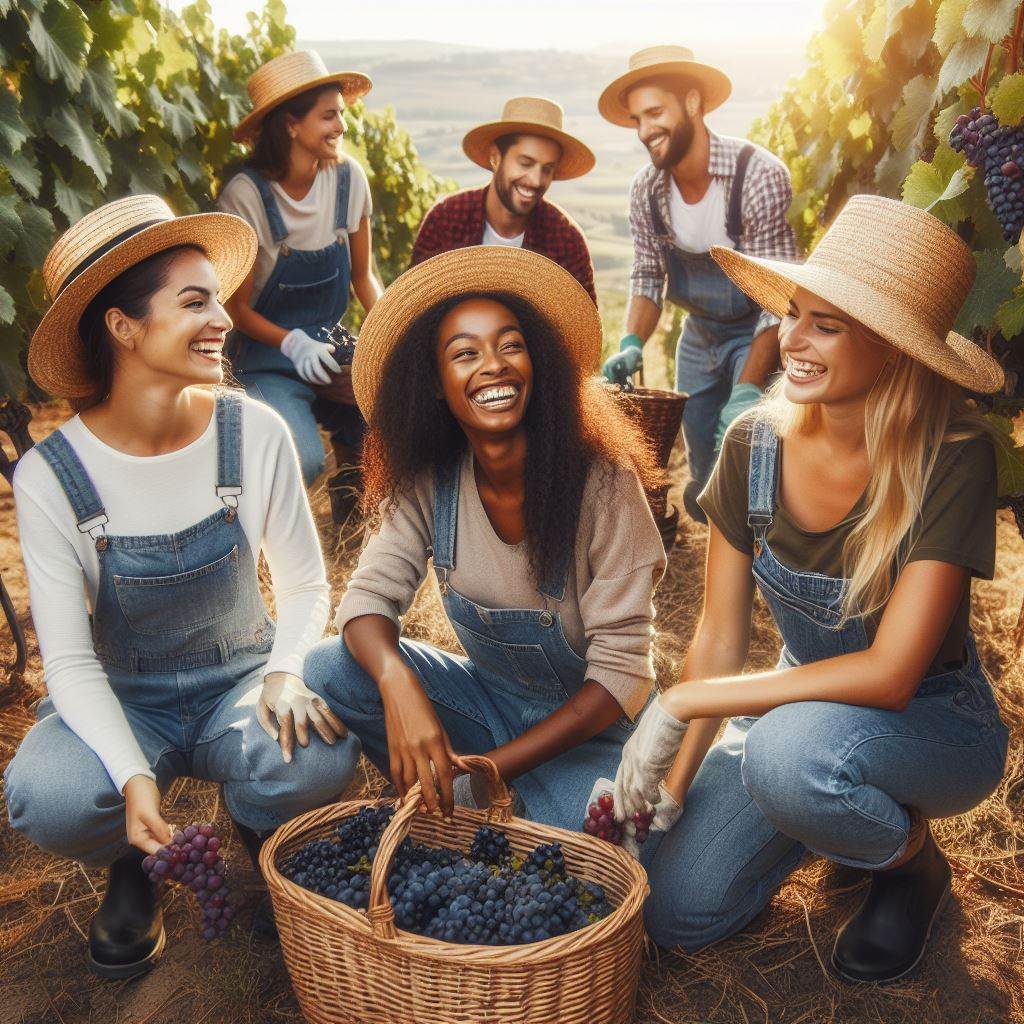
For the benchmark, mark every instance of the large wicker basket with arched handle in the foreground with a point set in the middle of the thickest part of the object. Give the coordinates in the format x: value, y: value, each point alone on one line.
x: 354, y: 967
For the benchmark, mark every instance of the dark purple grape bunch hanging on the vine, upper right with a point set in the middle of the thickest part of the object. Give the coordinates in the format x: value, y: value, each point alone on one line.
x: 1000, y: 151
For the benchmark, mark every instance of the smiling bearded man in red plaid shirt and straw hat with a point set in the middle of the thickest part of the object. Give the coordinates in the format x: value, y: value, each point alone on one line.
x: 527, y: 150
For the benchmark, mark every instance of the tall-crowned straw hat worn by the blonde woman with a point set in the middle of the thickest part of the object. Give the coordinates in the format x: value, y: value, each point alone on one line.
x: 895, y: 269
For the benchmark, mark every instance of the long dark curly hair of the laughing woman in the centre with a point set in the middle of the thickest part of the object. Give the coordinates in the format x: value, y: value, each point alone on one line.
x: 574, y: 424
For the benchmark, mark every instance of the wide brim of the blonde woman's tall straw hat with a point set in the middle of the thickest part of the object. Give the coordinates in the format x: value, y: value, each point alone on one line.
x: 772, y: 285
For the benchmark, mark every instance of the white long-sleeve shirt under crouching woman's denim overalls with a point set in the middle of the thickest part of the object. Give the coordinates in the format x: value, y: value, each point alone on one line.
x: 160, y: 495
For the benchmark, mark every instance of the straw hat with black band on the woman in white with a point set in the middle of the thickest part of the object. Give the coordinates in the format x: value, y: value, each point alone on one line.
x: 102, y: 246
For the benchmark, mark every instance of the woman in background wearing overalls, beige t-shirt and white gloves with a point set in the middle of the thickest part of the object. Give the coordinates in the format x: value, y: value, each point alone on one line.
x: 310, y: 205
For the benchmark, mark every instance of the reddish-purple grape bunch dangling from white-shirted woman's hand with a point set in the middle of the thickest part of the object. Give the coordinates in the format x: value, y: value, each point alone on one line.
x: 193, y: 860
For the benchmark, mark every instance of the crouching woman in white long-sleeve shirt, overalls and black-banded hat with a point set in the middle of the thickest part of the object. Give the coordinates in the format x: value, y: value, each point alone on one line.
x: 142, y: 521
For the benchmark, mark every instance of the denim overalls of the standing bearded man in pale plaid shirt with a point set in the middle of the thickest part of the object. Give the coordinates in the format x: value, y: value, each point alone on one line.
x: 717, y: 332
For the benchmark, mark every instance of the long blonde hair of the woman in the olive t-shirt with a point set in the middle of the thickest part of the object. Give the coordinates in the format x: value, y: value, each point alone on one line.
x: 911, y: 412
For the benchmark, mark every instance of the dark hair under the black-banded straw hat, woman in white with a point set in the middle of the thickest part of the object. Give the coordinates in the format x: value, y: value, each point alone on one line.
x: 132, y: 292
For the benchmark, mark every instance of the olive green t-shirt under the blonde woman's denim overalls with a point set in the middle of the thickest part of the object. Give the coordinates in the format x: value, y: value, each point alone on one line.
x: 957, y: 526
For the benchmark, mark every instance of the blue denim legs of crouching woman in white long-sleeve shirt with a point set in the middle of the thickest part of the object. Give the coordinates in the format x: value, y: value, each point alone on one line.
x: 61, y: 798
